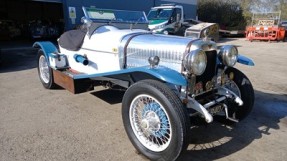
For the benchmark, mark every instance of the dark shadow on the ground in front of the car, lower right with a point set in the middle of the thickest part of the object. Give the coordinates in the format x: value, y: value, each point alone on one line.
x: 215, y: 141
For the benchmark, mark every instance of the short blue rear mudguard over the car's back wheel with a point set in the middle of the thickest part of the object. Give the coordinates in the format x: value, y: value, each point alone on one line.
x: 48, y: 48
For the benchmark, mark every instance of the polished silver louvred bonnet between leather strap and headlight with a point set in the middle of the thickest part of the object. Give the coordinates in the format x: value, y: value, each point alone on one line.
x: 170, y: 50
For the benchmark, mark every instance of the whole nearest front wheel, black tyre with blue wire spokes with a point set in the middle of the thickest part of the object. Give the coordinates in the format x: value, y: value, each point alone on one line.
x: 155, y: 120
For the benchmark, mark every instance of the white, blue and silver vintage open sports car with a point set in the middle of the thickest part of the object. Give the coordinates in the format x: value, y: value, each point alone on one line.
x: 167, y: 79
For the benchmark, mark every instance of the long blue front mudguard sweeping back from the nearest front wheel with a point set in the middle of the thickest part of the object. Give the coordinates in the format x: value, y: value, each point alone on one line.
x: 162, y: 73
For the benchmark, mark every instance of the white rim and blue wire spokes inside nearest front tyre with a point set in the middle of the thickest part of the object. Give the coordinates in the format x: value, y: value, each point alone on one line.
x: 150, y: 123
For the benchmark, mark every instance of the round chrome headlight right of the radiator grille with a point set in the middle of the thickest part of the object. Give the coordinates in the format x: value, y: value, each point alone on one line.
x: 228, y: 55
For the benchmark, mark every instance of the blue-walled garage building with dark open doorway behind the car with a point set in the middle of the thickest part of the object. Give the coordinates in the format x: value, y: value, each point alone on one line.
x: 58, y: 11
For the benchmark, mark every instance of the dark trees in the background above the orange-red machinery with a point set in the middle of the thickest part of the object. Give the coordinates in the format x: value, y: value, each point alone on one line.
x: 236, y: 14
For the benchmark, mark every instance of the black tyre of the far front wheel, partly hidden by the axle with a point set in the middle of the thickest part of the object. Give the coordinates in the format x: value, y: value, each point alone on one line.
x: 246, y: 93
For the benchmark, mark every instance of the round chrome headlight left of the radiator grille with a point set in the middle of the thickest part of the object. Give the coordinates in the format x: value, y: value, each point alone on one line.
x: 195, y: 62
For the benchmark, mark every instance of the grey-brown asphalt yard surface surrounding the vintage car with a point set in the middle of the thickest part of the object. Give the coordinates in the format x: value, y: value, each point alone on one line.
x: 38, y: 124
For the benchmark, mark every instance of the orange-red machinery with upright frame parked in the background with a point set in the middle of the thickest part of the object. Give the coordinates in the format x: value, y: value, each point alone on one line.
x: 265, y: 26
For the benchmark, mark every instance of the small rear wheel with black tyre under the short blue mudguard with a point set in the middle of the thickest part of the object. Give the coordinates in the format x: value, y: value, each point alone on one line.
x: 48, y: 80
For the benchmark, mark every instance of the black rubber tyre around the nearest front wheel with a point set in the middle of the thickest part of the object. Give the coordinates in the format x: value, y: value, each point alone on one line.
x: 178, y: 119
